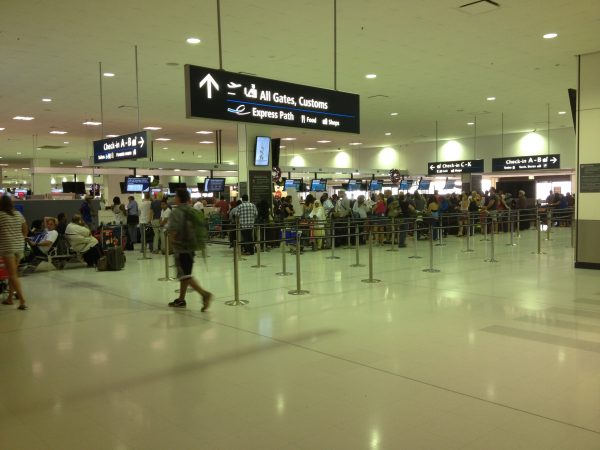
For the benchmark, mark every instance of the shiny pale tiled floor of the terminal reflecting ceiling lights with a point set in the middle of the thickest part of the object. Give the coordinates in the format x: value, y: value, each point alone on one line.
x: 478, y: 356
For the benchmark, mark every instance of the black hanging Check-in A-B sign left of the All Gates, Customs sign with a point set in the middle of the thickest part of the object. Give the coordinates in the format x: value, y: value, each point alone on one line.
x: 128, y: 146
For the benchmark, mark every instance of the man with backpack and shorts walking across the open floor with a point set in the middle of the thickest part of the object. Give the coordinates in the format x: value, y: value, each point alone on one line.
x: 186, y: 235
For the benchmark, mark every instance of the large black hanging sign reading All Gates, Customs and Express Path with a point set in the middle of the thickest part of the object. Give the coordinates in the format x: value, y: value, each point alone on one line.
x: 216, y: 94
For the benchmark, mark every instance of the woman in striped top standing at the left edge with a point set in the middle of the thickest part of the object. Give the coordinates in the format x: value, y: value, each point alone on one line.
x: 13, y: 230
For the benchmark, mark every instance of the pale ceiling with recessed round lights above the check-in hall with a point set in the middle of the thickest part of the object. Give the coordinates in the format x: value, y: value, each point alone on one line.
x: 433, y: 61
